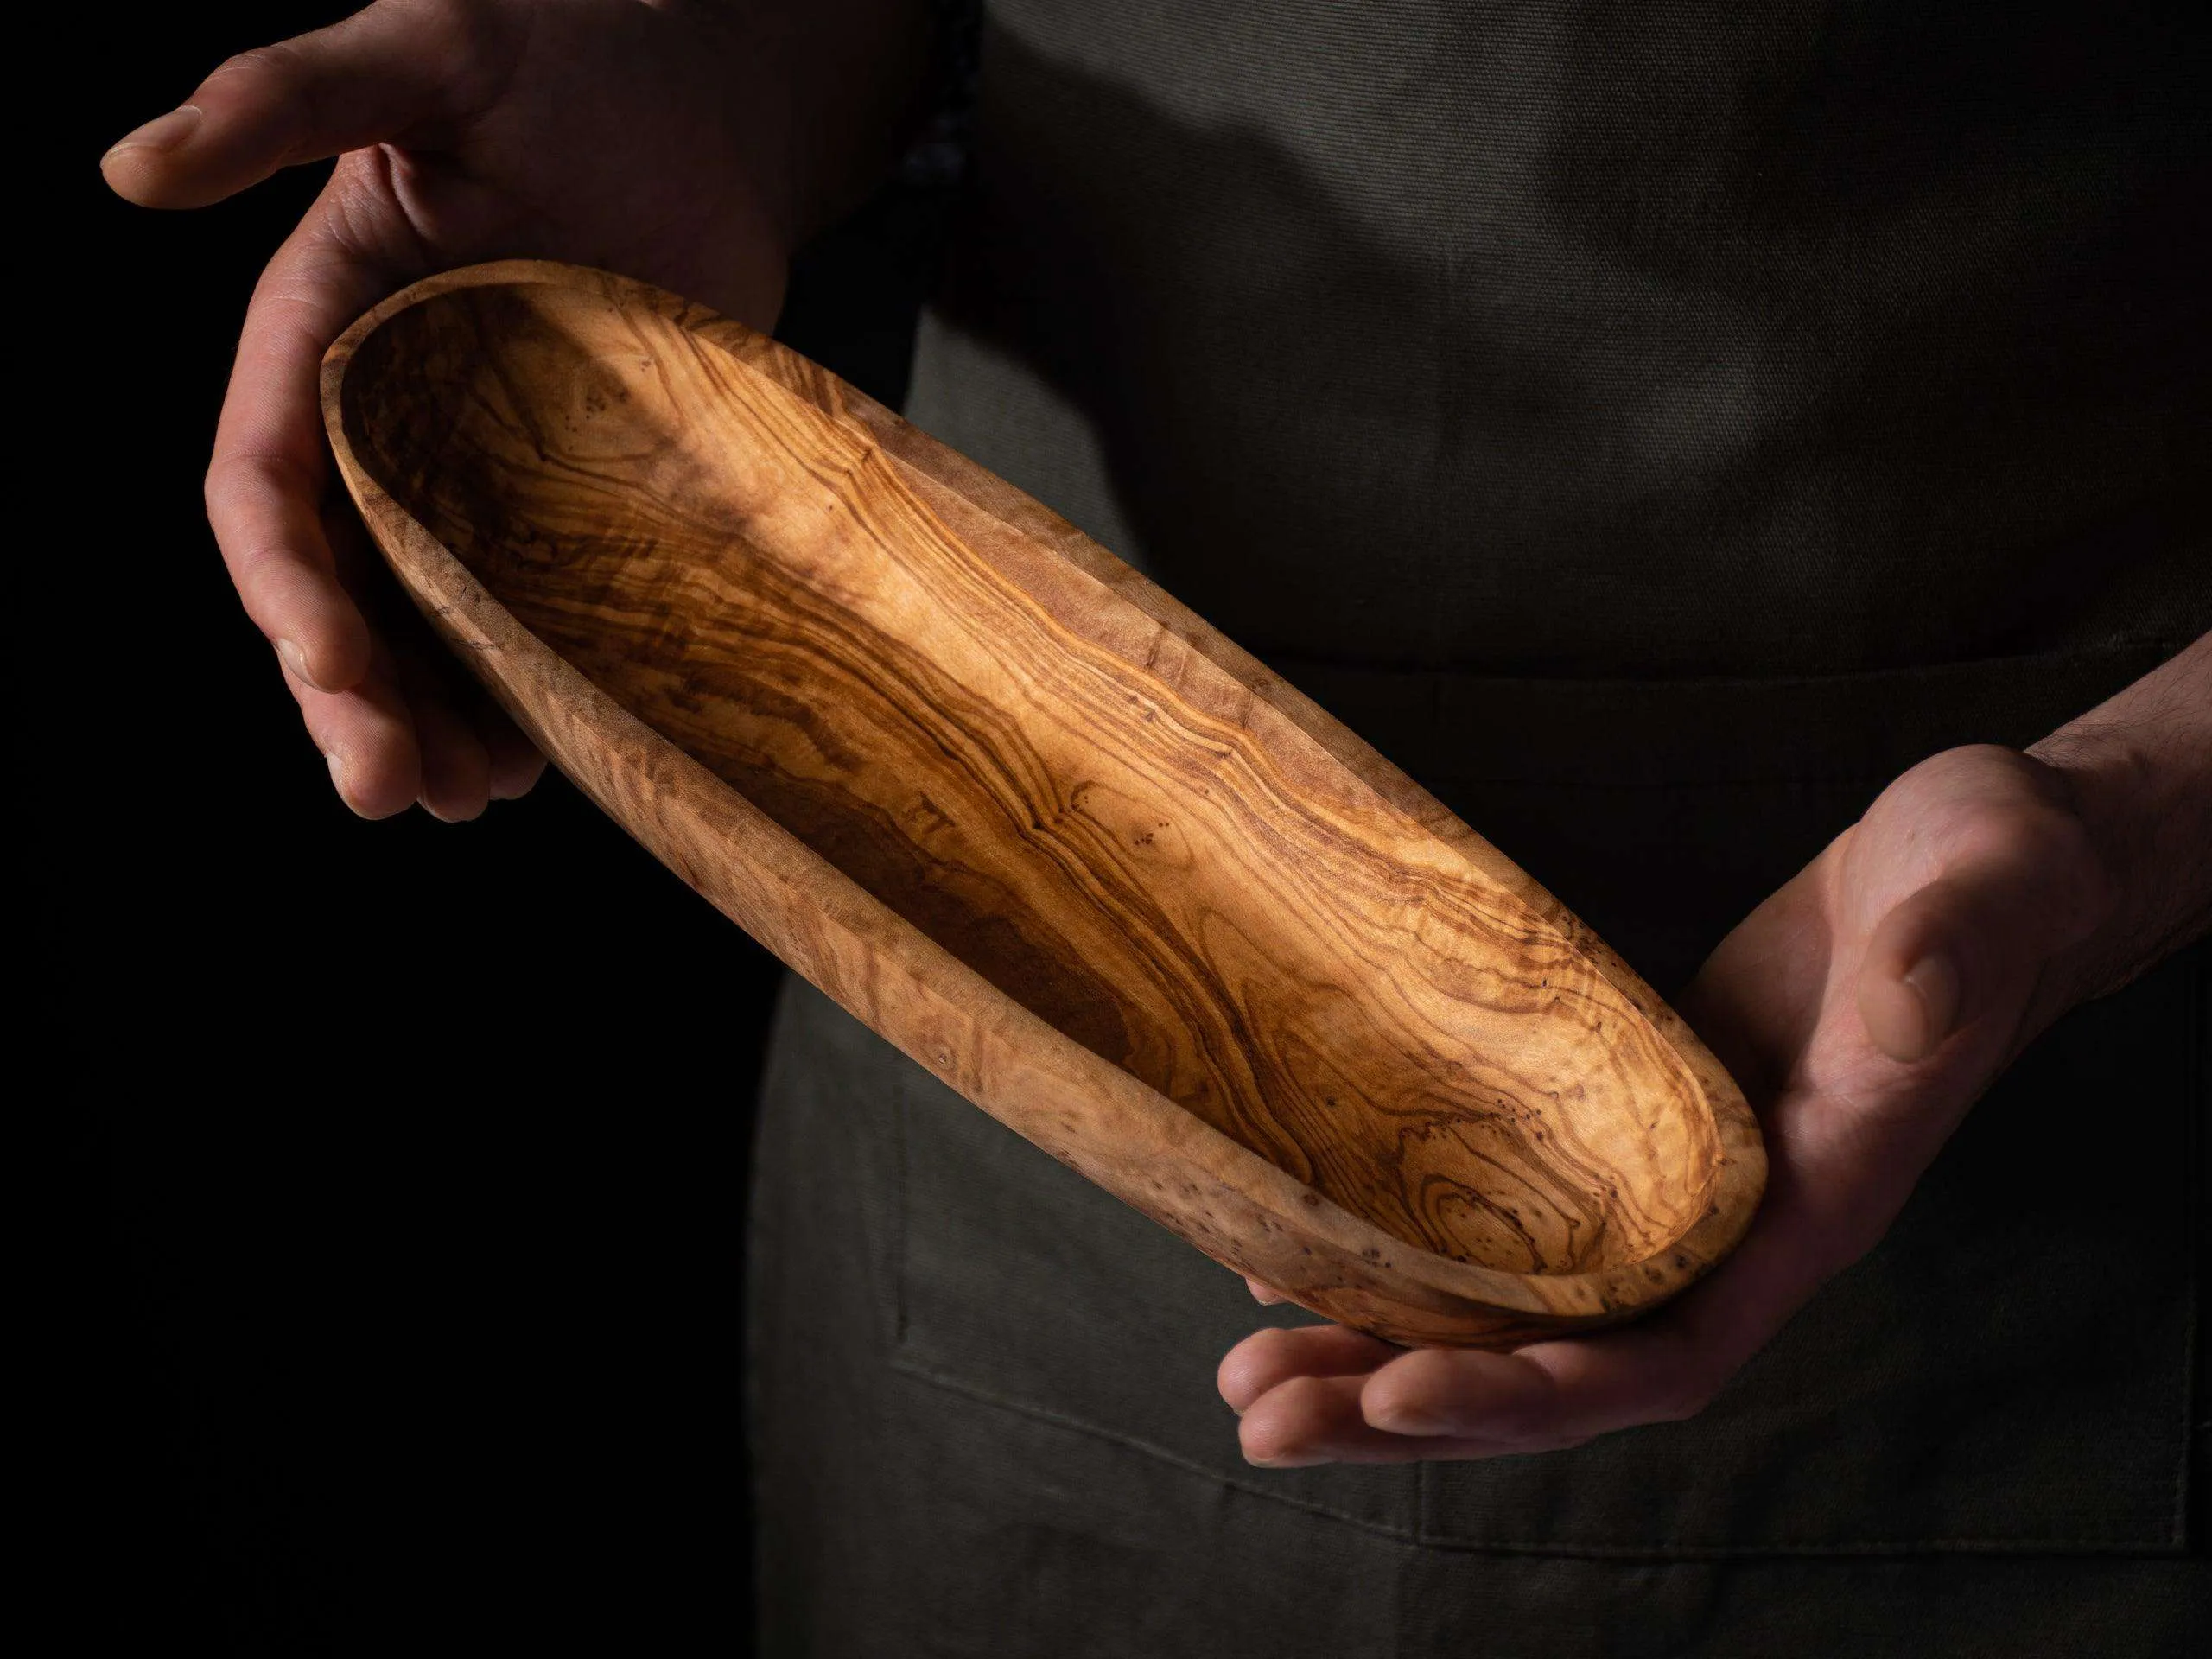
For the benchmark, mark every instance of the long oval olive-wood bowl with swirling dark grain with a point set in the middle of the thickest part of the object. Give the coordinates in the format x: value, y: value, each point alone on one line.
x: 1032, y: 820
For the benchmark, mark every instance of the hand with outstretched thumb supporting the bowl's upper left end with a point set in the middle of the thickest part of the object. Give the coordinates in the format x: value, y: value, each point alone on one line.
x: 656, y: 143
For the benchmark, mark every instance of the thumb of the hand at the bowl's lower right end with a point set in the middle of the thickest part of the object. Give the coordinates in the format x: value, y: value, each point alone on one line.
x: 1970, y: 943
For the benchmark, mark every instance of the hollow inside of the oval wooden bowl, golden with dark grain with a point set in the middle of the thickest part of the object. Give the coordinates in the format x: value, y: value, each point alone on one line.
x: 1304, y: 968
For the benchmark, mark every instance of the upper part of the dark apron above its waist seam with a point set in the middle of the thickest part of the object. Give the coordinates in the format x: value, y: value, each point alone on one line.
x: 1603, y: 342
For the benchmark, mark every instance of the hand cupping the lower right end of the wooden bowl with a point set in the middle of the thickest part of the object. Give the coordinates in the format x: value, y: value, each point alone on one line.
x: 1864, y: 1008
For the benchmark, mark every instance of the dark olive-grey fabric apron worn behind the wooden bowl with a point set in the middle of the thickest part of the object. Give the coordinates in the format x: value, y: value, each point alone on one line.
x: 1651, y: 430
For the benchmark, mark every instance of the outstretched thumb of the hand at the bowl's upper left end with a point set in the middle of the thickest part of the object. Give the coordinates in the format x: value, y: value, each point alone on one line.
x: 384, y: 74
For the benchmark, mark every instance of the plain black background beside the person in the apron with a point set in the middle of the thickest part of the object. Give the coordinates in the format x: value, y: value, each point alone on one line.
x: 404, y: 1162
